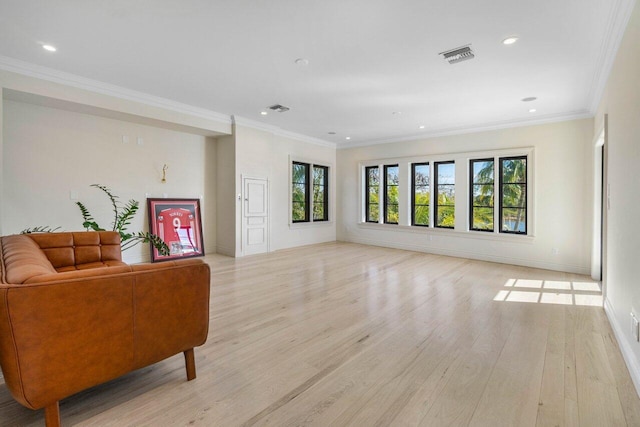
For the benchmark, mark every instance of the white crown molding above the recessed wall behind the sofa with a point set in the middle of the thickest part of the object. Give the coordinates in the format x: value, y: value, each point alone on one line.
x: 68, y: 79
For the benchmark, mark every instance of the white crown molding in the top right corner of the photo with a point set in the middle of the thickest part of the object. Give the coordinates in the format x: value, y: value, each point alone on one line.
x: 618, y: 20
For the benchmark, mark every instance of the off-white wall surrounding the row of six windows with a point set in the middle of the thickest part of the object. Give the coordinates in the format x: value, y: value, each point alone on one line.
x: 561, y: 198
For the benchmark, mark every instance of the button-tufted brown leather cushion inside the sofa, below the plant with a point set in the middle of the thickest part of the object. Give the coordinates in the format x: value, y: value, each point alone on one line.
x: 80, y: 250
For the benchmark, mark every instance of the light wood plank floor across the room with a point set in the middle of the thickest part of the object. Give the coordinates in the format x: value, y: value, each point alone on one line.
x: 349, y: 335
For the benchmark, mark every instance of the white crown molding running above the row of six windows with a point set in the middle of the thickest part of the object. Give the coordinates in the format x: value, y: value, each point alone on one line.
x: 577, y: 115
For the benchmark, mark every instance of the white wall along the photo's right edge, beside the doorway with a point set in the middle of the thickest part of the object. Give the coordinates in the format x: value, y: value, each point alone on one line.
x: 621, y: 102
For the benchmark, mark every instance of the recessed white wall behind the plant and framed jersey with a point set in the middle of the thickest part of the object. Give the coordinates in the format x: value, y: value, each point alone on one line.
x: 48, y: 153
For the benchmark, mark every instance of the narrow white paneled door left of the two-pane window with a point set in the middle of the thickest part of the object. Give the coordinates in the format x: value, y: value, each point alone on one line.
x: 255, y: 216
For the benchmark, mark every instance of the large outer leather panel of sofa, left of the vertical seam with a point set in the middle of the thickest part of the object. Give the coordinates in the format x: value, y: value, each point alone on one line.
x: 67, y: 336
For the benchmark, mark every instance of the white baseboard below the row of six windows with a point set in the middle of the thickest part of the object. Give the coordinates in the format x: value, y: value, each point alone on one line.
x: 473, y: 255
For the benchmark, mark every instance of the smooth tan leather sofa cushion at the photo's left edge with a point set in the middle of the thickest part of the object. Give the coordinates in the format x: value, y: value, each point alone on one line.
x: 23, y: 259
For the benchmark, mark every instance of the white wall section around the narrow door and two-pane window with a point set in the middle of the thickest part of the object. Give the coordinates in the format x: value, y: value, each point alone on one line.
x: 263, y: 154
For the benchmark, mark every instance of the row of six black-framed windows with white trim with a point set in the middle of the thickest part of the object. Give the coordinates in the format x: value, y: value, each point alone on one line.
x: 414, y: 193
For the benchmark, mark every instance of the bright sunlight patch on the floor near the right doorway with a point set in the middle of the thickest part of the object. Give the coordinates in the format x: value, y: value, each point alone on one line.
x: 551, y: 292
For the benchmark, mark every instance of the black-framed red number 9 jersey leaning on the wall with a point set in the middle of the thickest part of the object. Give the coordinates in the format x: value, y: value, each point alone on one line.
x: 178, y: 223
